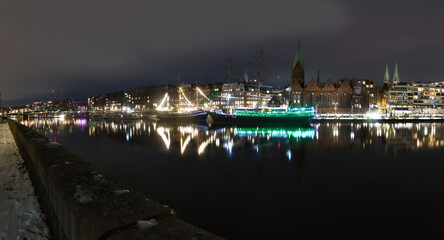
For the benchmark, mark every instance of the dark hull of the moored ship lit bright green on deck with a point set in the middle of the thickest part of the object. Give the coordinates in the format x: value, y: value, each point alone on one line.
x: 263, y: 117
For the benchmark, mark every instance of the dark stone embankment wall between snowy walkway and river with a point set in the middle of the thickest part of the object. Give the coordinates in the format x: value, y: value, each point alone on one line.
x: 82, y: 203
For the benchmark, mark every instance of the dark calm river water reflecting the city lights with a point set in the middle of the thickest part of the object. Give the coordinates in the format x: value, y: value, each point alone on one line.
x: 361, y: 181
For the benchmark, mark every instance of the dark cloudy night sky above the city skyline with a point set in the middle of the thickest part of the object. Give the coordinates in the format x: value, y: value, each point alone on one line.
x: 86, y: 48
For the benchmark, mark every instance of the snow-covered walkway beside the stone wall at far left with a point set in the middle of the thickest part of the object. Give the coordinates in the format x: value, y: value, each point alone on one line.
x: 20, y: 214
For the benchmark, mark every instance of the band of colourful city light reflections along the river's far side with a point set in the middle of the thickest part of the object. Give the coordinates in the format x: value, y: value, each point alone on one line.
x: 412, y: 136
